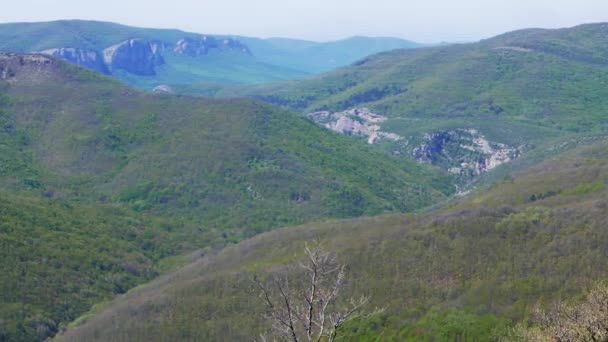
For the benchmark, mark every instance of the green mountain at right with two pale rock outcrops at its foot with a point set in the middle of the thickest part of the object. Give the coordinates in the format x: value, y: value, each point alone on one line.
x: 466, y: 107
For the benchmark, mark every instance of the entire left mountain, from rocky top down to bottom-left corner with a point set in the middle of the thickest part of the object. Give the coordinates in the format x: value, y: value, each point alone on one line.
x: 101, y: 184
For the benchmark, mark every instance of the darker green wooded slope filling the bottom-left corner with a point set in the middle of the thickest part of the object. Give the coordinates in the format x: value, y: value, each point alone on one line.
x: 58, y: 259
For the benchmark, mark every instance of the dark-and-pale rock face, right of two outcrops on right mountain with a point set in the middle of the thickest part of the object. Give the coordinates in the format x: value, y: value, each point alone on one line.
x: 463, y: 152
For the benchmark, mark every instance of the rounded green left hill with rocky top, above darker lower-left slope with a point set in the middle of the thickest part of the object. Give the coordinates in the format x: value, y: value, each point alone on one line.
x: 228, y: 163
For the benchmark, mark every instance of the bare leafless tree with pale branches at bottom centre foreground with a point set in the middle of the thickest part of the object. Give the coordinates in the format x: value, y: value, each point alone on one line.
x: 305, y: 309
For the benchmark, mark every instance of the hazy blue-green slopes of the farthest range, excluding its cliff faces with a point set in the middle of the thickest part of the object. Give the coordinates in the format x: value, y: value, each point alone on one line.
x: 269, y: 59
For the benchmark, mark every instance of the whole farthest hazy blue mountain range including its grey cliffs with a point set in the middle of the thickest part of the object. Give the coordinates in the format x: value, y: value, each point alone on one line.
x: 147, y: 58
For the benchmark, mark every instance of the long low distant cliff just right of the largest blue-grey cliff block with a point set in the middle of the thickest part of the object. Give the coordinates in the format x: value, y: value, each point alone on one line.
x: 205, y: 44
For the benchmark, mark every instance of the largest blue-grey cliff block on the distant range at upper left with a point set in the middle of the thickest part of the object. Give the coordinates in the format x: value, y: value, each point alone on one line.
x: 135, y: 56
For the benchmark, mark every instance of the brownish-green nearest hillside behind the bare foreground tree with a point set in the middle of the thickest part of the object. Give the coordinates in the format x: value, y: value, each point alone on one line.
x: 466, y: 272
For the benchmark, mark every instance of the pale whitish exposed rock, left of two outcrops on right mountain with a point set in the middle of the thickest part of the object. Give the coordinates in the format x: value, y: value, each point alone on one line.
x: 357, y: 121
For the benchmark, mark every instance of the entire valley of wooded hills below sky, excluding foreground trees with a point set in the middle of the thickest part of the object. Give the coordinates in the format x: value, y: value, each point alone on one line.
x: 148, y: 176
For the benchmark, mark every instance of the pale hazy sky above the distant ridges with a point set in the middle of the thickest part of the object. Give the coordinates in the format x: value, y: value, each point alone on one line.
x: 421, y: 20
